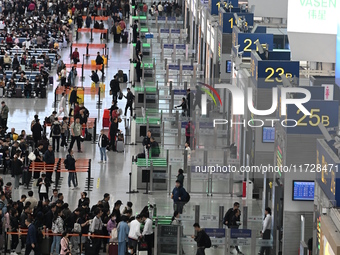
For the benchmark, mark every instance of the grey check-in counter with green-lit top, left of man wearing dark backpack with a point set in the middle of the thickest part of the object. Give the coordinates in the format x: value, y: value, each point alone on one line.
x: 159, y: 177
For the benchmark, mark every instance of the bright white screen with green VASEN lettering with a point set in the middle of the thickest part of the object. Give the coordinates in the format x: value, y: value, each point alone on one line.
x: 312, y: 16
